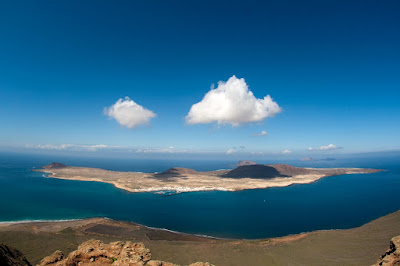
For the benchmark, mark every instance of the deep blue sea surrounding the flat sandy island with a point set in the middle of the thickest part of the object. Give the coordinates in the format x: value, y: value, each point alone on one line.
x: 335, y: 202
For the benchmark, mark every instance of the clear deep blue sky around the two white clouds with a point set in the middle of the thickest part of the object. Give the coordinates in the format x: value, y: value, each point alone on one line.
x: 333, y: 67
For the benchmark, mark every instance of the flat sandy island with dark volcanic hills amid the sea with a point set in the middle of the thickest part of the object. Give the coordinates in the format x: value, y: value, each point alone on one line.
x: 247, y: 175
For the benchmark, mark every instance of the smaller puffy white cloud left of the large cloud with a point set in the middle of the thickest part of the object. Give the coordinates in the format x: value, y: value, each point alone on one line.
x: 128, y: 113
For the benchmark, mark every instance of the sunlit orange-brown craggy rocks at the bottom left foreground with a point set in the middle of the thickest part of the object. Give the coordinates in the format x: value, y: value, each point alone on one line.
x: 95, y: 252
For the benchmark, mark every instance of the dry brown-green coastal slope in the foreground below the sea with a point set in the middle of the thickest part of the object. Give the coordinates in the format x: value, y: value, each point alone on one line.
x: 359, y: 246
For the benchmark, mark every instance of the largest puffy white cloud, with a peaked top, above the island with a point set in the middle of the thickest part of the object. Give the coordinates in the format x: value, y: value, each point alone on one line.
x: 231, y: 103
